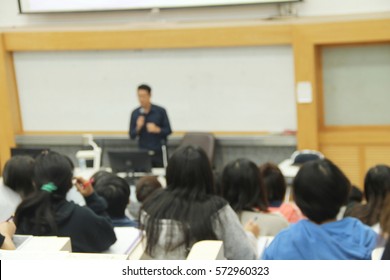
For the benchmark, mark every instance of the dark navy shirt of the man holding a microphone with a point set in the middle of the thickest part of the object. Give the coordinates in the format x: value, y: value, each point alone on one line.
x: 150, y: 141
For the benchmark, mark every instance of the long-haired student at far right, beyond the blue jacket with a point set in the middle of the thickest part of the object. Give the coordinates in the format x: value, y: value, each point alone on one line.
x: 376, y: 187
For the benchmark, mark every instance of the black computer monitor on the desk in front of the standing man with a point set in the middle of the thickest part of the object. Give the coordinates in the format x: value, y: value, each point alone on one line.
x: 130, y: 161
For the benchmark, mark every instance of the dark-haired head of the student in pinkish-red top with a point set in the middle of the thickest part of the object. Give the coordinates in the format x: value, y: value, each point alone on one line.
x: 274, y: 182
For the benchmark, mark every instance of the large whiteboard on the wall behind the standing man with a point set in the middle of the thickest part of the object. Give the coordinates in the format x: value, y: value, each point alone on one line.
x: 210, y: 89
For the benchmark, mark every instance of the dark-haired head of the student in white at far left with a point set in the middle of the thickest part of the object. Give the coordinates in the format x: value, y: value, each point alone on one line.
x: 18, y: 173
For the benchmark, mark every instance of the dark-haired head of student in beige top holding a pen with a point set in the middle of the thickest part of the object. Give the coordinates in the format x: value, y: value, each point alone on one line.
x: 242, y: 186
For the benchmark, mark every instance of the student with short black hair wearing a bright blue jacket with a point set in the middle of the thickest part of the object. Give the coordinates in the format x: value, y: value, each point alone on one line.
x: 320, y: 189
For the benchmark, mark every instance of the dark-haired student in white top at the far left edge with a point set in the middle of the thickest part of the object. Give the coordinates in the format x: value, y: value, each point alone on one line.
x: 17, y: 184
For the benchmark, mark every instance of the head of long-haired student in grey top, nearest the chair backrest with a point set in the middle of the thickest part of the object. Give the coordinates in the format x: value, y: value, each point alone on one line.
x: 189, y: 172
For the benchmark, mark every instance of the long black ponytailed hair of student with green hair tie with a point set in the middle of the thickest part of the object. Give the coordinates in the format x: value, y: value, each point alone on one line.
x: 37, y: 210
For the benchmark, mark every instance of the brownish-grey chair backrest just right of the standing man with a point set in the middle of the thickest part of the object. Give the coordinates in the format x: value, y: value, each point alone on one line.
x: 204, y: 140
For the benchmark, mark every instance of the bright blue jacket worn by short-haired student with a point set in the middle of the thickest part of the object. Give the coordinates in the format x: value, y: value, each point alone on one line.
x: 347, y: 239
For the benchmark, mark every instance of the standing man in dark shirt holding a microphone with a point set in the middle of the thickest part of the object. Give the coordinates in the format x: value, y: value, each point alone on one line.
x: 151, y: 124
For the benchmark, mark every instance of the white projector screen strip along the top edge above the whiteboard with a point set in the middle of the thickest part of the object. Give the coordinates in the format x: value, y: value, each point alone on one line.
x: 47, y: 6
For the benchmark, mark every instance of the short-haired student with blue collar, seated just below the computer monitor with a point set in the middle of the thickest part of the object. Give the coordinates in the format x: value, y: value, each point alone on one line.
x: 116, y: 191
